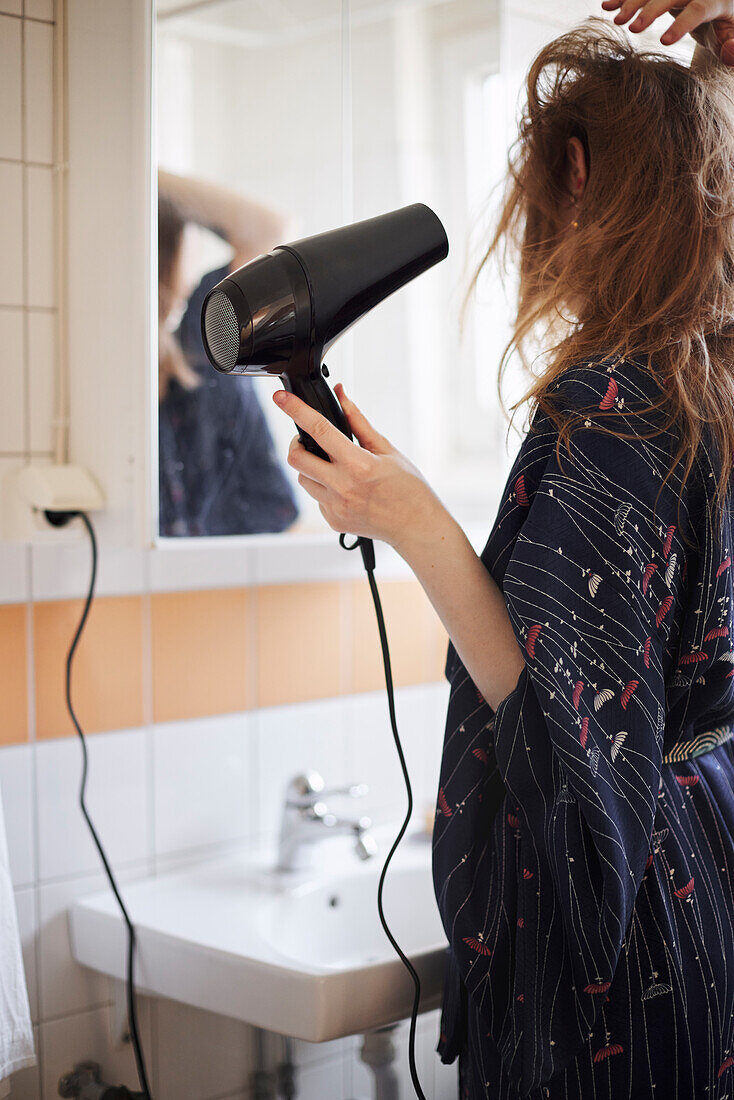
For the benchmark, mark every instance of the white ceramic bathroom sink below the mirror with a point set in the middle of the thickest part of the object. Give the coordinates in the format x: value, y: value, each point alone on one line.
x: 302, y: 954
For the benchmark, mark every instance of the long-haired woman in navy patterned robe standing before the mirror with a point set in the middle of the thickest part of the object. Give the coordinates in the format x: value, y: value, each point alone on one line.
x: 584, y: 849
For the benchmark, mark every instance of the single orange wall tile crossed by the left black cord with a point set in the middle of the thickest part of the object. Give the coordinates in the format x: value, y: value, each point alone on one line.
x: 108, y: 666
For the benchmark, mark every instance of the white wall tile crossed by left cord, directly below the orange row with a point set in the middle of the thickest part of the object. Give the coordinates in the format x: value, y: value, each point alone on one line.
x: 117, y: 799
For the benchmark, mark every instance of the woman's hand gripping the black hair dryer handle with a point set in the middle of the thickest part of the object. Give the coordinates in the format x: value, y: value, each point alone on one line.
x: 371, y: 490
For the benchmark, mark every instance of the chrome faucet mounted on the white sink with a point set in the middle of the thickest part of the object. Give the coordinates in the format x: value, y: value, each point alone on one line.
x: 306, y: 819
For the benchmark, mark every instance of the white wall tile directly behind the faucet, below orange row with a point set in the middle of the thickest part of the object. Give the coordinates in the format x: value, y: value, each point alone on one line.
x: 299, y: 739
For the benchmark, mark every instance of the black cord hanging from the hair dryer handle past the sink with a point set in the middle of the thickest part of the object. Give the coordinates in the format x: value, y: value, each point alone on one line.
x: 367, y: 547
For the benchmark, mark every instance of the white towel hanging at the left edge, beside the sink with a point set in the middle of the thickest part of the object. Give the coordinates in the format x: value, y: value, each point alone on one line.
x: 16, y: 1032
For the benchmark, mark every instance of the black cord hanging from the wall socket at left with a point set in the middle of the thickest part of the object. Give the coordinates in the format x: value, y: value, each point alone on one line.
x: 60, y: 520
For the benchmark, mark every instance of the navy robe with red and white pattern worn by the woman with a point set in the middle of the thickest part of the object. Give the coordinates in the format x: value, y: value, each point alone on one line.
x: 586, y: 886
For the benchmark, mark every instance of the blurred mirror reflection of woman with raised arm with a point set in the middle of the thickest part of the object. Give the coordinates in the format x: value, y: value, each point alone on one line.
x: 218, y: 472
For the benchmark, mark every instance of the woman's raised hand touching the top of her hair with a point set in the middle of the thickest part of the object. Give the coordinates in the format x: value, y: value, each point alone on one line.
x: 710, y: 23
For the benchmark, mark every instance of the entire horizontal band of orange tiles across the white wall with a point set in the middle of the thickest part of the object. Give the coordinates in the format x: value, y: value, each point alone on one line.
x: 213, y: 652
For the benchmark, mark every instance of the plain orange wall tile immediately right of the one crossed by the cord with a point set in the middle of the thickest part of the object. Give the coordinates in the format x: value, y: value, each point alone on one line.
x: 201, y: 652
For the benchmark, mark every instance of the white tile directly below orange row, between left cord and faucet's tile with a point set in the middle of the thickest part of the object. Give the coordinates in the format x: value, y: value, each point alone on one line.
x: 202, y: 782
